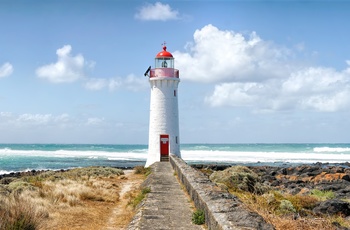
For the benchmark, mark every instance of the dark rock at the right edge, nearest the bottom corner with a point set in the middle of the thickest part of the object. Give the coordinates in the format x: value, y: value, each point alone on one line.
x: 333, y: 206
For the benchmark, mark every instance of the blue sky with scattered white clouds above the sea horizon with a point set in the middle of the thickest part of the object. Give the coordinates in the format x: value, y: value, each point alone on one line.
x: 251, y: 71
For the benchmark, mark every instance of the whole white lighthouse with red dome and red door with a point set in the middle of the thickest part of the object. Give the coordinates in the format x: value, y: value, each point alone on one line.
x: 164, y: 136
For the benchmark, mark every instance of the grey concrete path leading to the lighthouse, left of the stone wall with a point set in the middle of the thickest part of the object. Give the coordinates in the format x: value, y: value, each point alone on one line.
x: 167, y: 206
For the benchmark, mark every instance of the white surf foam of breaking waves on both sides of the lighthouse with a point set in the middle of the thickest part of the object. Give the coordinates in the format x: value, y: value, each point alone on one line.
x: 320, y: 154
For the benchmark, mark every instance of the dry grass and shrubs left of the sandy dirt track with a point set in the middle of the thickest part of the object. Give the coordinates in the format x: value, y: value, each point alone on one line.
x: 25, y: 203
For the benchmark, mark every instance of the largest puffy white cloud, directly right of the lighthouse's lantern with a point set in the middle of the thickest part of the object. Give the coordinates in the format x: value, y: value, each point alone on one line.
x: 219, y: 55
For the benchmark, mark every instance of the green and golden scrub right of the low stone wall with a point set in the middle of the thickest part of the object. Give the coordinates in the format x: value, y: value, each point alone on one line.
x: 282, y: 210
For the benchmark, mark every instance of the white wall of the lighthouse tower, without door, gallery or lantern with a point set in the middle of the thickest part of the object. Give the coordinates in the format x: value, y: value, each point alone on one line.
x: 164, y: 117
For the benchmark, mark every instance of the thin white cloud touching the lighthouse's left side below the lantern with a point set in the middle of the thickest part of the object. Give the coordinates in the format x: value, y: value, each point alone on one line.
x: 131, y: 82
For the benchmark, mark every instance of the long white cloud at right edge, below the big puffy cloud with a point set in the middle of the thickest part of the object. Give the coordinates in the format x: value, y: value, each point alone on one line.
x: 320, y: 89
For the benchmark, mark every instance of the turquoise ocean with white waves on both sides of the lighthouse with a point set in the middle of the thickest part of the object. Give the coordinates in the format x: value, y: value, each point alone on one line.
x: 26, y: 157
